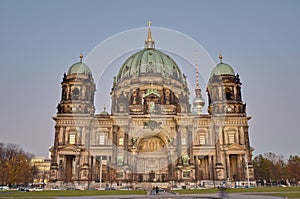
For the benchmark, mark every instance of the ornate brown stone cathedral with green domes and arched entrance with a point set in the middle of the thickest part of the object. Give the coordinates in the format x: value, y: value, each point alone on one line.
x: 152, y: 133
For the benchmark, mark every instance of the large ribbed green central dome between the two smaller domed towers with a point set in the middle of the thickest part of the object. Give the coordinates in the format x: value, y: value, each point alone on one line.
x: 149, y: 61
